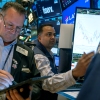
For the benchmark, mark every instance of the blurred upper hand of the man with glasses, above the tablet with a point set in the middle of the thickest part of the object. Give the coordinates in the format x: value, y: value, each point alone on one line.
x: 5, y: 79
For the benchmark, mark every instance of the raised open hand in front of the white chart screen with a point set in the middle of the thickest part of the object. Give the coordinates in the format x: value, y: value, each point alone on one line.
x: 82, y: 65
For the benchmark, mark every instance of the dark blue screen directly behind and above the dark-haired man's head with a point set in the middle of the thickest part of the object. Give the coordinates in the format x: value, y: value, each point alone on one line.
x: 56, y: 21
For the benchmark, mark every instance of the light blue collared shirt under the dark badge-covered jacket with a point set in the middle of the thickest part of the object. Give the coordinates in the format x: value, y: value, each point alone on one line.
x: 4, y: 51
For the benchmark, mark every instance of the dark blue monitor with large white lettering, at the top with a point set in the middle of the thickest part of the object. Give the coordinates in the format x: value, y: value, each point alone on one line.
x: 48, y: 8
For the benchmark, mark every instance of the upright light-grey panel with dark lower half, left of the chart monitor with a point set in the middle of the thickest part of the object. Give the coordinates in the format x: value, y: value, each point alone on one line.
x: 65, y: 45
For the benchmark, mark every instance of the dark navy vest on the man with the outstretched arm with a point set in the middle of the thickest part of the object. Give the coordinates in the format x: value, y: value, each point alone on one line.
x: 40, y: 49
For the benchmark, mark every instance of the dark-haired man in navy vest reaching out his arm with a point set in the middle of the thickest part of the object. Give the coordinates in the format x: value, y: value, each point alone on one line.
x: 45, y: 64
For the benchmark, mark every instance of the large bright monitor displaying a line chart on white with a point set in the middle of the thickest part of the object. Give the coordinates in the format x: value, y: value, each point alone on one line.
x: 86, y: 34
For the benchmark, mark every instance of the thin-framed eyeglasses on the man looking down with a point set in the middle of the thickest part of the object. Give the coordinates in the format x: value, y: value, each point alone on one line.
x: 10, y: 26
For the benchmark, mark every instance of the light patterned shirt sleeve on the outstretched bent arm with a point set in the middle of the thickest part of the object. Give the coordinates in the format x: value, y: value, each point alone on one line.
x: 58, y: 81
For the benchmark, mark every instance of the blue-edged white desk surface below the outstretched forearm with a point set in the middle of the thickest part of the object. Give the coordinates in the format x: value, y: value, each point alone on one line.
x: 69, y: 95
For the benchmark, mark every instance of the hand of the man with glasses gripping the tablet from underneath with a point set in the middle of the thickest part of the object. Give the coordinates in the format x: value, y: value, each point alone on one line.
x: 14, y: 95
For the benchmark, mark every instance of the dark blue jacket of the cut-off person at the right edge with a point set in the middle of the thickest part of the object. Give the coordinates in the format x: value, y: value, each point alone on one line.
x: 91, y: 86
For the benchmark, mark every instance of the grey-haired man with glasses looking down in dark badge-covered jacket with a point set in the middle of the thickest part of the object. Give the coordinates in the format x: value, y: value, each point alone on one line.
x: 15, y: 58
